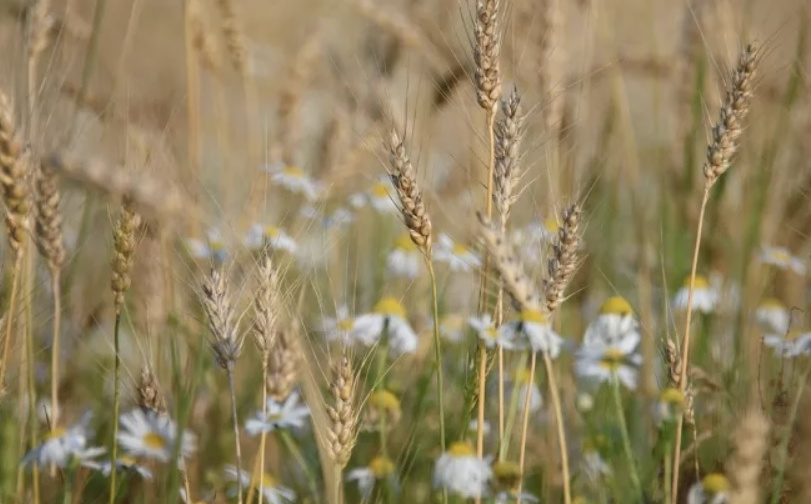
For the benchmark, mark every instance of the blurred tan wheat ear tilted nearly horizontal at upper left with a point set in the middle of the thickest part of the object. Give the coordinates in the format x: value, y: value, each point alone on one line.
x: 150, y: 194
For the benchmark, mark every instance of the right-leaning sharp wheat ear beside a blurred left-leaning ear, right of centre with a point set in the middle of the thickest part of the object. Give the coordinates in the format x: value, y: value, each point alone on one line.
x: 563, y: 261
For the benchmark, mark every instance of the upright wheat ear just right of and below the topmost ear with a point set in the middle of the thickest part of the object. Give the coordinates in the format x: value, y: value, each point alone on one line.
x: 507, y: 173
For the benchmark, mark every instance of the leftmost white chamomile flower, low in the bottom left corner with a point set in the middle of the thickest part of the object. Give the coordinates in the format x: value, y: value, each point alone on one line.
x: 64, y: 446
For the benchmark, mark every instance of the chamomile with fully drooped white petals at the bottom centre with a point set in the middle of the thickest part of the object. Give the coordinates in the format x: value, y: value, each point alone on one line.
x: 461, y: 472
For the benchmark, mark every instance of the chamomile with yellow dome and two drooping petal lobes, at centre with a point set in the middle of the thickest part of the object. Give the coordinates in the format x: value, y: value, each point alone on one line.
x: 388, y: 315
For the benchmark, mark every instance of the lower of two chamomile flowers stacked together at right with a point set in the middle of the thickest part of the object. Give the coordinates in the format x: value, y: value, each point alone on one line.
x: 617, y: 361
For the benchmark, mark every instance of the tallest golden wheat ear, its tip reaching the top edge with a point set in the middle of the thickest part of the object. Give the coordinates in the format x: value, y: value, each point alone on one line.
x: 487, y: 40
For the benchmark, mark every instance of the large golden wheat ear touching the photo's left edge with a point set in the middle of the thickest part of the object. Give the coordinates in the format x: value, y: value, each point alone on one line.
x: 13, y: 172
